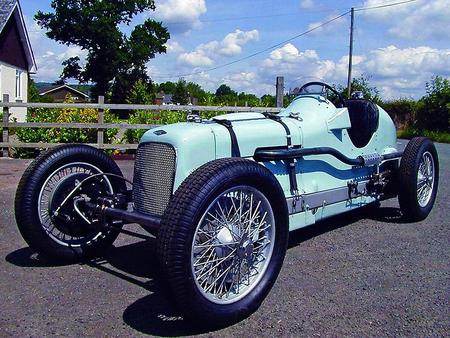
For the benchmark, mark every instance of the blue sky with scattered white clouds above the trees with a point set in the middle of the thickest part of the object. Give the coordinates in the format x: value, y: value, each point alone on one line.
x: 399, y: 47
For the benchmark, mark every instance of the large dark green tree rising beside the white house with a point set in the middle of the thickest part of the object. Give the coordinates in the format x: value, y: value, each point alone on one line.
x: 94, y: 26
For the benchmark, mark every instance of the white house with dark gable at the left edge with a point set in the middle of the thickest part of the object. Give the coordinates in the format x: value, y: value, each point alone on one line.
x: 16, y: 56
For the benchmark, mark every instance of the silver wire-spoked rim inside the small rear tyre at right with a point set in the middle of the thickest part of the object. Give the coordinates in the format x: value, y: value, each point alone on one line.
x: 425, y: 179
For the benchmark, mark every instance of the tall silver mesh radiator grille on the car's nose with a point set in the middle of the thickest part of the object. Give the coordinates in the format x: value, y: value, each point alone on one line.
x: 154, y: 173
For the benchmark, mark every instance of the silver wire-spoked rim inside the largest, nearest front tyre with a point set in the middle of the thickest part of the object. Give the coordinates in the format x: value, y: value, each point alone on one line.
x: 233, y: 244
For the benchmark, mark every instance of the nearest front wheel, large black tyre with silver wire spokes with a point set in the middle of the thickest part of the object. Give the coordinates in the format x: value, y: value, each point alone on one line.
x: 223, y: 239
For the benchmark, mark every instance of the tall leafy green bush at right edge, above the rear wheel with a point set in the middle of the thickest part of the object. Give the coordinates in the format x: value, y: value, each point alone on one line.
x: 433, y: 111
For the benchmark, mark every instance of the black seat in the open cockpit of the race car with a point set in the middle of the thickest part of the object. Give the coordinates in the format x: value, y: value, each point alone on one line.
x: 364, y: 119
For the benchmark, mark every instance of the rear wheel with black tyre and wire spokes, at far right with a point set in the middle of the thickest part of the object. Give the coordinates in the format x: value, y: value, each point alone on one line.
x: 418, y: 179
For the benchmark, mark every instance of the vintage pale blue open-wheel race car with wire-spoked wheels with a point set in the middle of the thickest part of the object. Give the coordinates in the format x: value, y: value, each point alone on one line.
x: 222, y: 195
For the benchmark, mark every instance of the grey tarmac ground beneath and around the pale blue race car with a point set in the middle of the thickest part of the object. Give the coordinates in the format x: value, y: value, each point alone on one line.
x: 360, y: 274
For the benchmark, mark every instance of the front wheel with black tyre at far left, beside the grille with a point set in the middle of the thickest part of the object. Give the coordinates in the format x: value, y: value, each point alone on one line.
x: 67, y: 235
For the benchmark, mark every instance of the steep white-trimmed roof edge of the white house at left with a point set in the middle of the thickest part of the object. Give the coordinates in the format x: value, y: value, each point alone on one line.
x: 8, y: 8
